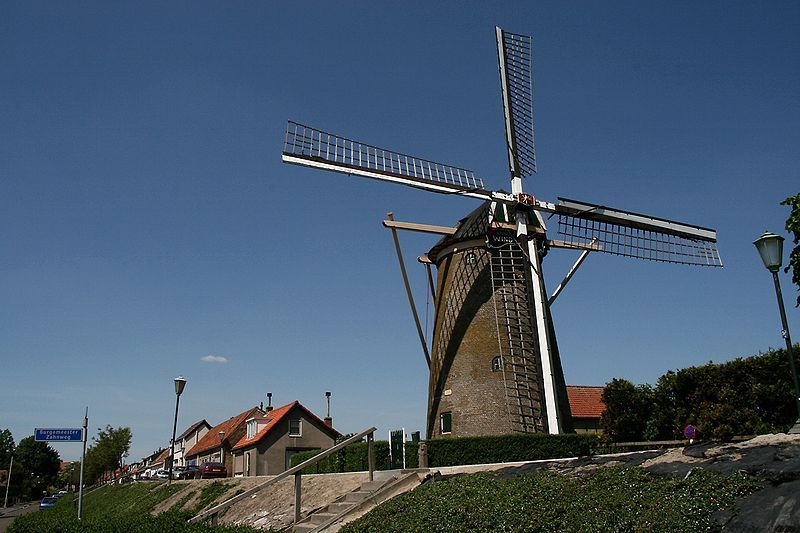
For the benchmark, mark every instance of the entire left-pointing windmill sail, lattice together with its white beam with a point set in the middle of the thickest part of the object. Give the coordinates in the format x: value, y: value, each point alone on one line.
x: 315, y: 148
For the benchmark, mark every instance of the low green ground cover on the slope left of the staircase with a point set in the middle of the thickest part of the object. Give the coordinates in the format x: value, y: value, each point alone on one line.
x: 122, y: 508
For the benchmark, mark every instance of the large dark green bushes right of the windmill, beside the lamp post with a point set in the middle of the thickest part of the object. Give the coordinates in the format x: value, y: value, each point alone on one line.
x: 747, y: 396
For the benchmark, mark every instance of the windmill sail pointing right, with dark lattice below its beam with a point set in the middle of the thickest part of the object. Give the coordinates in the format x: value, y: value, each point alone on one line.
x: 634, y: 235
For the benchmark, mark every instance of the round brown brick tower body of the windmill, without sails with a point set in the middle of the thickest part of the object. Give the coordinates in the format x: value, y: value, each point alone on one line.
x: 486, y: 372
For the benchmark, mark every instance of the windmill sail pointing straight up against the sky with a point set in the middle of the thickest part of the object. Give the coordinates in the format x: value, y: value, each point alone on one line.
x: 514, y: 54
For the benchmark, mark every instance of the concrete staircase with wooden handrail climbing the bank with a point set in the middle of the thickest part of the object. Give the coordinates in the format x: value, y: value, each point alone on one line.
x: 347, y: 508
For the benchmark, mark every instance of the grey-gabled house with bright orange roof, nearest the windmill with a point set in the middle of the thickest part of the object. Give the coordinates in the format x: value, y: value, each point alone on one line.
x: 273, y: 437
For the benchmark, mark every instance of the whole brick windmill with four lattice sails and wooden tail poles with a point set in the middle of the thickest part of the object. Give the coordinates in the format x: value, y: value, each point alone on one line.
x: 494, y: 362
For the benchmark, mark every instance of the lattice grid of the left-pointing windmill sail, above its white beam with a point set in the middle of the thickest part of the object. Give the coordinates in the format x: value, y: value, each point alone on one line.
x: 307, y: 142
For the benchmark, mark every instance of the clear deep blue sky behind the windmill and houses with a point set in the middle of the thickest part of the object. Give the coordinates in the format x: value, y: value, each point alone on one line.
x: 146, y: 220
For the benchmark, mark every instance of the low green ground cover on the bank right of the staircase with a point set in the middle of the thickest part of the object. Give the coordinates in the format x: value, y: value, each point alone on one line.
x: 610, y: 499
